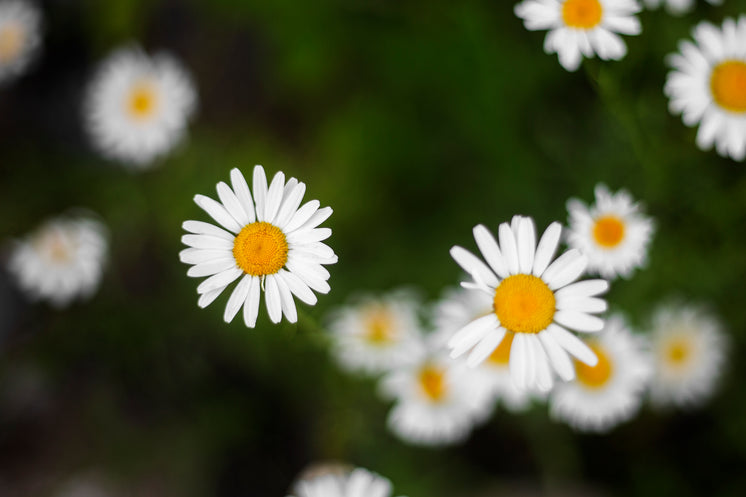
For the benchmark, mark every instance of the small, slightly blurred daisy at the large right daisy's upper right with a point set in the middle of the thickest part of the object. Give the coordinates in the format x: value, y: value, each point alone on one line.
x: 613, y: 233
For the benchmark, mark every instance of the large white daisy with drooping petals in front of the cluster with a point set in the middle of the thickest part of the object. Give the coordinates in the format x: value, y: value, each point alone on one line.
x: 533, y: 299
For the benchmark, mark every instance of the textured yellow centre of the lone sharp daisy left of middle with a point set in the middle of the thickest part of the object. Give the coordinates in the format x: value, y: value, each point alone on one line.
x: 260, y: 249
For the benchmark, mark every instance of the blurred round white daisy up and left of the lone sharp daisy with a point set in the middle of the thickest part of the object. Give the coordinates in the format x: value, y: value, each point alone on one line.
x: 137, y: 107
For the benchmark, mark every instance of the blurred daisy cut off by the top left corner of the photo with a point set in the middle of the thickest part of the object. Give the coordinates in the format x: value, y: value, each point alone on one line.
x: 20, y: 37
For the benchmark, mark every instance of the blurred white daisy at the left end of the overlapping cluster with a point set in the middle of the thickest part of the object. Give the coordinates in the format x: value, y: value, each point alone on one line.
x: 375, y: 334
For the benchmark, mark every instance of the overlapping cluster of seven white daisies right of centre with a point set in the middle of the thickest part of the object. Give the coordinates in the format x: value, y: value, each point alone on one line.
x: 507, y: 335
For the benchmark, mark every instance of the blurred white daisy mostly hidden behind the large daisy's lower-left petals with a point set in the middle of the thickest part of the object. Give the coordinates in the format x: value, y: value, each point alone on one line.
x: 456, y: 309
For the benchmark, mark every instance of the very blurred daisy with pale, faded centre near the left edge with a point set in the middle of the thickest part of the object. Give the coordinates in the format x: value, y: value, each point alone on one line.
x: 62, y: 260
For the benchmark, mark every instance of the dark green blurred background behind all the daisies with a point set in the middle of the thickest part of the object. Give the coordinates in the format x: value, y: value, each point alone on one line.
x: 414, y: 121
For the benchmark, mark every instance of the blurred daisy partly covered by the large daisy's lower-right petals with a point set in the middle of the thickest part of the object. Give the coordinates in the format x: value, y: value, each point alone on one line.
x: 610, y: 392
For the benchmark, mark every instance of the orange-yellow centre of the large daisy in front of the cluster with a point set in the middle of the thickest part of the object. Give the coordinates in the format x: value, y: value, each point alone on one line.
x: 524, y: 304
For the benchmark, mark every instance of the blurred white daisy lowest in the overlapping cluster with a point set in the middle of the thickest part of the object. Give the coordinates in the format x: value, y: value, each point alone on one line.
x: 438, y: 401
